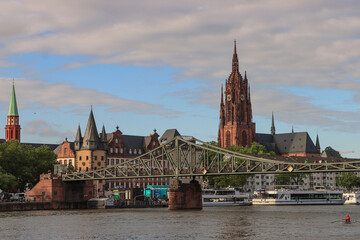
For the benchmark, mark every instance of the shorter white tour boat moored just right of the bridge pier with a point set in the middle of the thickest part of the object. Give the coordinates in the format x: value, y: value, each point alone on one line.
x: 224, y: 197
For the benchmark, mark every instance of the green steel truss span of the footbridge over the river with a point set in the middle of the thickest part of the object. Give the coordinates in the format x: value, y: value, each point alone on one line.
x: 181, y: 158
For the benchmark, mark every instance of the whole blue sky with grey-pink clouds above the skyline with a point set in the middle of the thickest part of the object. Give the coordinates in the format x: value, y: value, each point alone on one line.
x: 145, y: 65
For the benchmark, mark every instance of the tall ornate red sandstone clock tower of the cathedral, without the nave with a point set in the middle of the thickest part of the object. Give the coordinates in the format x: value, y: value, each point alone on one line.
x: 236, y: 126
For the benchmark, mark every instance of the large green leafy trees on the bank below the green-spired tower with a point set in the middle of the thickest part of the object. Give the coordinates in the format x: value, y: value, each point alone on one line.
x: 23, y: 163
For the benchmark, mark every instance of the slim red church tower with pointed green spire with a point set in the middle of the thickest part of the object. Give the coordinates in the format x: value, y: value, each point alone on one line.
x: 12, y: 129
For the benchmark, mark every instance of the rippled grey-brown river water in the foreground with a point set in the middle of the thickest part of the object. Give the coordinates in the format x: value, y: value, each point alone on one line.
x: 249, y: 222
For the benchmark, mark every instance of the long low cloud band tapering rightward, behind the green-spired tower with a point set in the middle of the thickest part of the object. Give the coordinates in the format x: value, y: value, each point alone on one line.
x: 37, y: 93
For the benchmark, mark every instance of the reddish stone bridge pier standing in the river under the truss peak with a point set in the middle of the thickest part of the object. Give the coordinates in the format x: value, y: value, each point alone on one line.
x: 185, y: 195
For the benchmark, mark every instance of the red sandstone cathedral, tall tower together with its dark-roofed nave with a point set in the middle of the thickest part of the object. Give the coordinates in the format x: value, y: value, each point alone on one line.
x: 236, y: 126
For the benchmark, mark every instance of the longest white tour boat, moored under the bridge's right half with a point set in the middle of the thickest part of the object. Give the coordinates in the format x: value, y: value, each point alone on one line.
x: 298, y: 197
